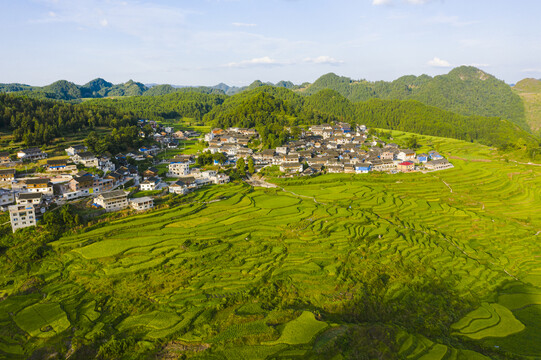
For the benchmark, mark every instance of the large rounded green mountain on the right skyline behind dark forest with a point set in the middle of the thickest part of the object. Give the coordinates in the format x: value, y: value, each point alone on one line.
x: 465, y: 90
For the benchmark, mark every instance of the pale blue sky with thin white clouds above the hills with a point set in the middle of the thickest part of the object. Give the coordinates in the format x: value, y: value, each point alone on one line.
x: 205, y: 42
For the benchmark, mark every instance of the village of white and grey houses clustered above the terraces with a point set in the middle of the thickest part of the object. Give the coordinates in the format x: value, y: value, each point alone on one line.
x: 109, y: 181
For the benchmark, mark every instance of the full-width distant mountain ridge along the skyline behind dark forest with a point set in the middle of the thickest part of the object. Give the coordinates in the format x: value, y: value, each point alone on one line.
x: 465, y: 90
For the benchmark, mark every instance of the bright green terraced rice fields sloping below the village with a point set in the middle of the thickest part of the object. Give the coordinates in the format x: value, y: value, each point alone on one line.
x: 441, y: 265
